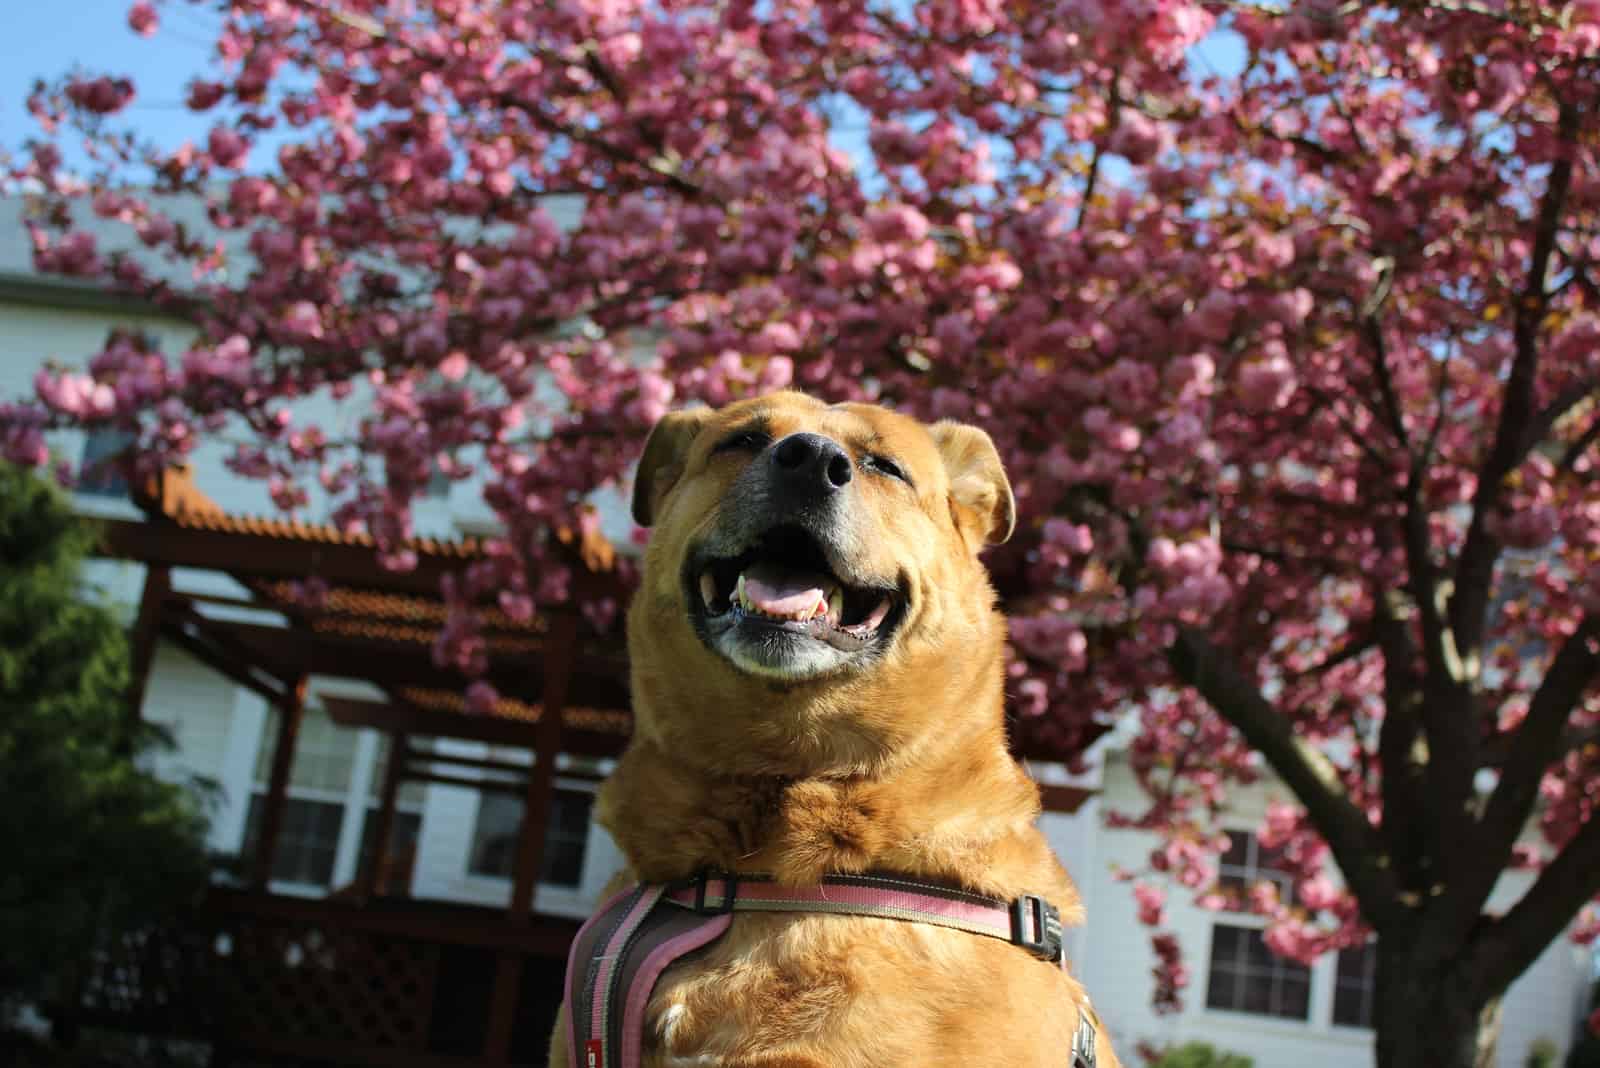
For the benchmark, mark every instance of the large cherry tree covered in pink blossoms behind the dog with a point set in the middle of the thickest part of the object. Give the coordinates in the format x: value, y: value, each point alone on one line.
x: 1287, y: 319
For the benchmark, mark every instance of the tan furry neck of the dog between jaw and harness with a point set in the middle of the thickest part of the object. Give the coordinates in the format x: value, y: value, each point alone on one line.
x: 954, y: 808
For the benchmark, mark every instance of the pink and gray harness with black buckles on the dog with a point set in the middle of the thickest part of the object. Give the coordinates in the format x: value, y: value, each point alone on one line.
x: 622, y: 952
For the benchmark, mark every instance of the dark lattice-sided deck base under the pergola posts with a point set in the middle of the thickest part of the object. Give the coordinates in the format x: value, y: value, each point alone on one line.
x: 377, y: 984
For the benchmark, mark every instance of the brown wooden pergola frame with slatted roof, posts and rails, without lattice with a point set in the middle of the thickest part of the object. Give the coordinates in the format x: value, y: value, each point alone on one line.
x: 562, y: 691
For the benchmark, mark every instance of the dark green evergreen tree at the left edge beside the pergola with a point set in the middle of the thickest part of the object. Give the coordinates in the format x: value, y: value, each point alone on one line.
x: 94, y: 843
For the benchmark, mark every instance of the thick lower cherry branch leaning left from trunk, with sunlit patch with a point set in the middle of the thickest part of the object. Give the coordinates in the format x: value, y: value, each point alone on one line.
x: 1302, y: 767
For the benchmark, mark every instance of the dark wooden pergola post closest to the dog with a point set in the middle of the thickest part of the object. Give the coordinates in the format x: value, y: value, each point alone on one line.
x: 561, y: 645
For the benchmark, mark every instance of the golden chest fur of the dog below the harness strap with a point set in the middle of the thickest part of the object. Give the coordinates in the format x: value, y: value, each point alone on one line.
x: 844, y: 992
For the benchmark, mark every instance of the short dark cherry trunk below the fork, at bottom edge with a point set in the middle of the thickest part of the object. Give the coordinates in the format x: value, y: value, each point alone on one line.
x: 1430, y: 1013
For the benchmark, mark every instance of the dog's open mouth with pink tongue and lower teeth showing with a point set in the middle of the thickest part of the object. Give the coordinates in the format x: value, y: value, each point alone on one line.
x: 785, y: 583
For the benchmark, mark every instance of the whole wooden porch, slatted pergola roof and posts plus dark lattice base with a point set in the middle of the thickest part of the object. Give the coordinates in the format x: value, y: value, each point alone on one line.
x: 367, y: 974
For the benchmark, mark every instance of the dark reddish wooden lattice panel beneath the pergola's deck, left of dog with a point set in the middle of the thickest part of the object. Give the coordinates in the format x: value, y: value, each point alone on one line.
x: 322, y: 984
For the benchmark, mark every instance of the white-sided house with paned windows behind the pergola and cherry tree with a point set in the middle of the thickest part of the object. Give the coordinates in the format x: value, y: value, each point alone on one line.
x: 1242, y: 998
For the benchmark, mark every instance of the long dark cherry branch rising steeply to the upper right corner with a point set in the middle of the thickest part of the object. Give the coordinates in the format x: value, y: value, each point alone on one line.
x: 1476, y: 567
